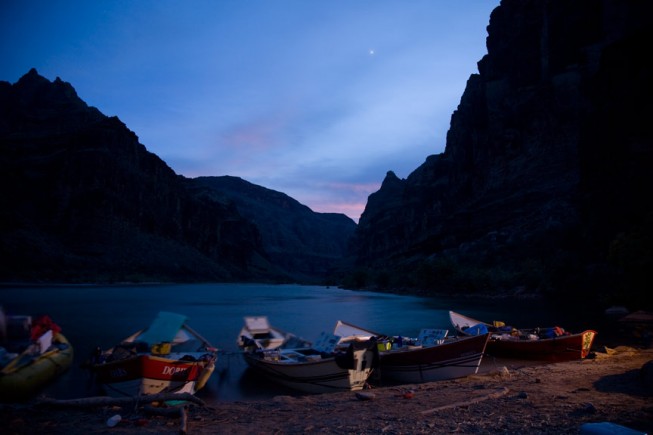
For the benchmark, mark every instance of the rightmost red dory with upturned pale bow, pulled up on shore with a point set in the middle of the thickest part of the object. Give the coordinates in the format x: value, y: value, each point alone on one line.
x: 529, y: 344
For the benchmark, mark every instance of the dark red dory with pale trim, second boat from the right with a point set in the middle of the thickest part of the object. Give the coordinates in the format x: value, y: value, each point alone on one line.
x: 432, y: 357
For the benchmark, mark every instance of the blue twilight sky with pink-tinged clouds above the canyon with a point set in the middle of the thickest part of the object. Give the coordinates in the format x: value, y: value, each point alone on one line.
x: 317, y: 99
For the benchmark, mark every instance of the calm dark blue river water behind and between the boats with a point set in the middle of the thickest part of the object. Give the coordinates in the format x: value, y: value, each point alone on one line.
x: 93, y: 316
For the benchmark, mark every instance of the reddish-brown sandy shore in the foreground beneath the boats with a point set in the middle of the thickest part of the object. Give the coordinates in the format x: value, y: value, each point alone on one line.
x: 512, y: 398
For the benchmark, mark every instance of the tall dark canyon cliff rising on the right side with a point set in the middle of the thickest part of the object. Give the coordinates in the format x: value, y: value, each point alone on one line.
x: 545, y: 182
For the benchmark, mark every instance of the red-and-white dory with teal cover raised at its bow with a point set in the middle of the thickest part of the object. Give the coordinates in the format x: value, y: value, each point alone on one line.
x: 166, y: 357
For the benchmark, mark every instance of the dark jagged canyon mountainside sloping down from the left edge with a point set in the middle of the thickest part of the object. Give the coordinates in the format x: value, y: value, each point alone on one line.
x: 82, y: 200
